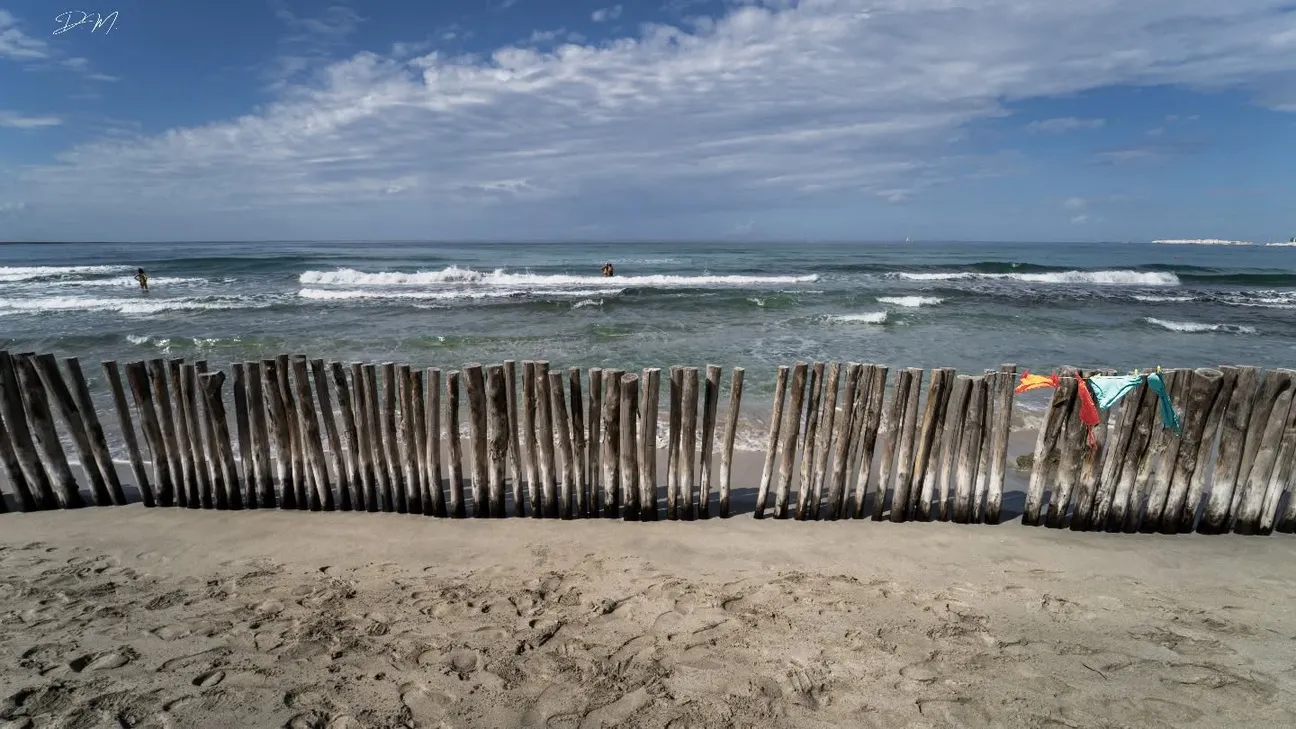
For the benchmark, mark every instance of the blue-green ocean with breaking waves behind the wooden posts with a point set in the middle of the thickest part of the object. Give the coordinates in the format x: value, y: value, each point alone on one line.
x: 965, y: 305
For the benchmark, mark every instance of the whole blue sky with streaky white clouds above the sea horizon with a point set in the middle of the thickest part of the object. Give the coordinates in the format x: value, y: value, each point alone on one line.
x: 698, y: 120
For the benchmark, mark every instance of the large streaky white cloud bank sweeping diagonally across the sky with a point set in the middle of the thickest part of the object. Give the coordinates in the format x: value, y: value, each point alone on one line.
x: 774, y: 106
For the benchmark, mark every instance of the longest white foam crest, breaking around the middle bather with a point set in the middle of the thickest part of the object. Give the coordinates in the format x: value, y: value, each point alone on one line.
x: 501, y: 278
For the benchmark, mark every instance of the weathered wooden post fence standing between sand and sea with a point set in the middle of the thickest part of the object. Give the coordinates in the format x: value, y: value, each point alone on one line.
x: 310, y: 435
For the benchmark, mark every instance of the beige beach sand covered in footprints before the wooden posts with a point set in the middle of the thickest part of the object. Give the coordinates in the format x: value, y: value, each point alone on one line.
x: 129, y: 617
